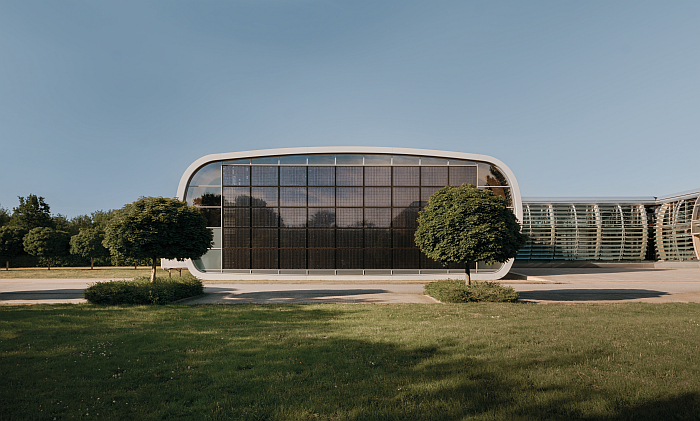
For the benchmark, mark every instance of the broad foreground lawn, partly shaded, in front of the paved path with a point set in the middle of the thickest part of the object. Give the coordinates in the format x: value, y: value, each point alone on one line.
x: 481, y: 361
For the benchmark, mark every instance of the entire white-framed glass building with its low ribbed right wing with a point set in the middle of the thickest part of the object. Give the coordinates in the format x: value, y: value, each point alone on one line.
x: 324, y: 212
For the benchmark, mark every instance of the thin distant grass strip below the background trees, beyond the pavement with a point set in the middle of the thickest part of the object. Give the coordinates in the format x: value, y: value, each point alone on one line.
x: 106, y: 272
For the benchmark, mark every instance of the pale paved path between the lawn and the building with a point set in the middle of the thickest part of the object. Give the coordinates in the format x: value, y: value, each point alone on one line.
x: 542, y: 285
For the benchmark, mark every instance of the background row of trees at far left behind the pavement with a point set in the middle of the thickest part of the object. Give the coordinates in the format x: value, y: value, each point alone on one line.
x: 31, y: 236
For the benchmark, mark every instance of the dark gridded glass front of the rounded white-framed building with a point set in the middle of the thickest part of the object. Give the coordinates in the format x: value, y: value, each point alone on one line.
x: 340, y: 211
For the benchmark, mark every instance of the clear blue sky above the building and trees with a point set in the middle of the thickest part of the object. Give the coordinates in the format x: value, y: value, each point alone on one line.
x: 102, y: 102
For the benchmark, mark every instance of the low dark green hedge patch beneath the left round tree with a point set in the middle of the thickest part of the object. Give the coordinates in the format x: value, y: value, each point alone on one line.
x: 143, y: 291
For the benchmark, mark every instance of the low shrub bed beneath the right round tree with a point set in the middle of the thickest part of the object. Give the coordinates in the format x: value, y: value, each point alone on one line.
x: 456, y: 291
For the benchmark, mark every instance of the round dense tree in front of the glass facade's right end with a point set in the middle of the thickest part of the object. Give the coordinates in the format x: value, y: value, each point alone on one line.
x: 465, y: 224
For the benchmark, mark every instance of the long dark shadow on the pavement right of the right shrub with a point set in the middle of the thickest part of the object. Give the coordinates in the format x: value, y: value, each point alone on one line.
x: 617, y: 294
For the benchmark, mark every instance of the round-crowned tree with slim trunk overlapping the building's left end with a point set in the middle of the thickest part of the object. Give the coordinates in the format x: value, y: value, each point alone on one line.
x: 156, y: 227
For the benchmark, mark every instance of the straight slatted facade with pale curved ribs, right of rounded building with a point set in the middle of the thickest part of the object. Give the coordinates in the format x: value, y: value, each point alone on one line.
x: 571, y: 231
